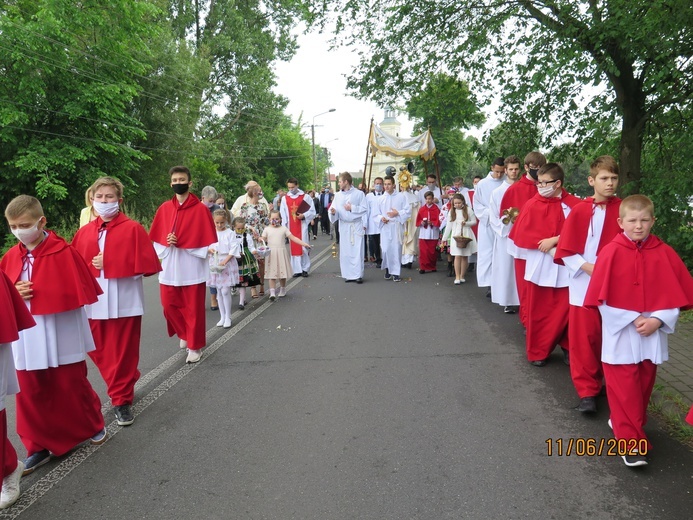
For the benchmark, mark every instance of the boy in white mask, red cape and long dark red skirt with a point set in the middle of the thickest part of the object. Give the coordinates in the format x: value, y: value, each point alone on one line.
x: 56, y: 407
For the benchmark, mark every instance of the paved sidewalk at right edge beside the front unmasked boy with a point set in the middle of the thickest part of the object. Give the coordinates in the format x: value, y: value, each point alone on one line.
x: 676, y: 375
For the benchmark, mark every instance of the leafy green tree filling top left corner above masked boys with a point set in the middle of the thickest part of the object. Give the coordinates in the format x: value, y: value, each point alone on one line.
x: 68, y: 76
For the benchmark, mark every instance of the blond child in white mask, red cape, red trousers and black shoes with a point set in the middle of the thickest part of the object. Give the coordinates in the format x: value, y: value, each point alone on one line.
x: 119, y: 253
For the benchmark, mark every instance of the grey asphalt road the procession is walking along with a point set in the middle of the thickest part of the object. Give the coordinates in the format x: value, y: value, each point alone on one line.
x: 385, y: 400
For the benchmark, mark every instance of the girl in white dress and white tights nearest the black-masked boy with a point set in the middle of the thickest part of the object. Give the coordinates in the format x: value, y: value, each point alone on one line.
x: 223, y: 266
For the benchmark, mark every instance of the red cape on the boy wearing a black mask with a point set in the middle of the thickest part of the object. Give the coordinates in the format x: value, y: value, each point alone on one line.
x: 191, y: 221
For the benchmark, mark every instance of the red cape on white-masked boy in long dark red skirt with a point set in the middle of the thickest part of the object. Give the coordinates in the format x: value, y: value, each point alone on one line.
x: 62, y: 281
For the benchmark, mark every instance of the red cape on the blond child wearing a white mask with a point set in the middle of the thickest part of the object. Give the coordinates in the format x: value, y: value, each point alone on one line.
x: 128, y: 250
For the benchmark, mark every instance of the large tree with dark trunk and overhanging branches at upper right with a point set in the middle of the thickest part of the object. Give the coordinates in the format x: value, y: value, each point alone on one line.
x: 578, y: 68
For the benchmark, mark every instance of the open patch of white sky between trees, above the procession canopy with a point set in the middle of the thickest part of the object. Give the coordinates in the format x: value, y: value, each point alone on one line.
x: 314, y: 82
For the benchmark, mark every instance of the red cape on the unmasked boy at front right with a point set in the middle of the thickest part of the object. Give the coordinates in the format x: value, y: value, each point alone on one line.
x: 641, y: 279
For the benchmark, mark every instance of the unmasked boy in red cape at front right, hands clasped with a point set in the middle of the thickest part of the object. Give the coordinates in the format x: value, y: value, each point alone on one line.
x: 639, y: 284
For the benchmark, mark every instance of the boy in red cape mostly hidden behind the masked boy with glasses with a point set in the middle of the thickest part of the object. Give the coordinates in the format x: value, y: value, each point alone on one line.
x: 516, y: 196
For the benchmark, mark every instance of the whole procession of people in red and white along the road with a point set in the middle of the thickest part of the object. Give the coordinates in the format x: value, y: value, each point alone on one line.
x: 586, y: 275
